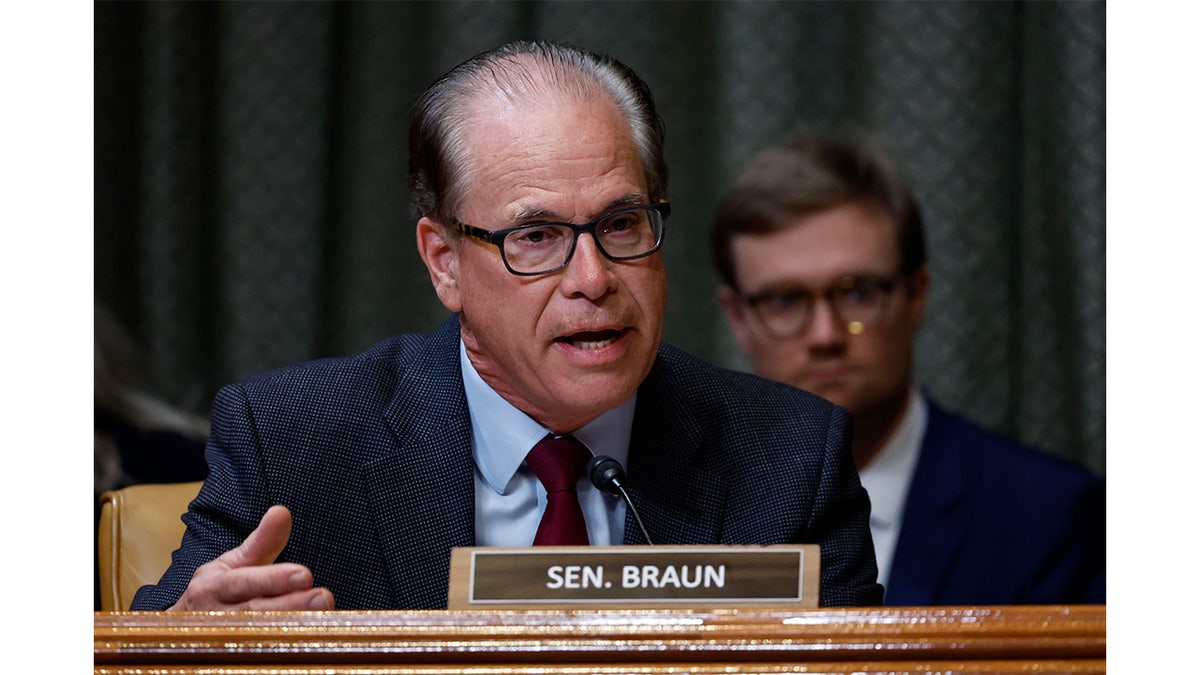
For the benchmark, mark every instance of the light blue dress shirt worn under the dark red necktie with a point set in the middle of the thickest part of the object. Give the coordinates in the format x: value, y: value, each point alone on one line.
x: 509, y: 499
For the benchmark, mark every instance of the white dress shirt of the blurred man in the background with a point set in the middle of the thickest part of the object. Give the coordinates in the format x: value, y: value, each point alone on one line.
x: 887, y: 480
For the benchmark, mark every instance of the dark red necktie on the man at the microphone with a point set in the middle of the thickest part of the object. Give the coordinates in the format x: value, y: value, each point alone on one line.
x: 559, y: 463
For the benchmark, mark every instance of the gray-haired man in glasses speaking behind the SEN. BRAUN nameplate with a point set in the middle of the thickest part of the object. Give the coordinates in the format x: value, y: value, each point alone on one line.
x: 539, y: 176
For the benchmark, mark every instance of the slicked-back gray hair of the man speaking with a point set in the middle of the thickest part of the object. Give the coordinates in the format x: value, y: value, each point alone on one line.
x: 437, y: 166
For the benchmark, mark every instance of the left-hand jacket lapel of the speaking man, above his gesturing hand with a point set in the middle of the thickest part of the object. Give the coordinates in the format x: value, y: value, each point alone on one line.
x: 423, y: 493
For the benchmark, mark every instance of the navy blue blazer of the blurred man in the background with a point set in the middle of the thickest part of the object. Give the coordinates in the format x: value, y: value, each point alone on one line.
x: 989, y: 522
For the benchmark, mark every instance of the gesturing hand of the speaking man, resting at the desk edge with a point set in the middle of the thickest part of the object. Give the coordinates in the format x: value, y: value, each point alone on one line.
x: 249, y: 578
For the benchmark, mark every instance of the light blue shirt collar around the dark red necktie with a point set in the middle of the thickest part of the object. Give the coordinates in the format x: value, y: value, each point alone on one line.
x: 503, y: 435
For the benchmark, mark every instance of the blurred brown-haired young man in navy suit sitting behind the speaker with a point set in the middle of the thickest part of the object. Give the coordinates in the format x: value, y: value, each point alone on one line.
x: 821, y: 249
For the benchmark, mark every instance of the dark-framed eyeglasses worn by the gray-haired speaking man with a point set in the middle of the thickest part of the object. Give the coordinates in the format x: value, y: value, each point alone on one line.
x: 543, y: 248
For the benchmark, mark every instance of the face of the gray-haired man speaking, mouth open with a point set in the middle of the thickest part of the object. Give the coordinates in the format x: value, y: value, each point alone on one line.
x: 566, y: 347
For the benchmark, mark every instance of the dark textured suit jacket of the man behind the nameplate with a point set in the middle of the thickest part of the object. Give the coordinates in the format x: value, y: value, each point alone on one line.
x: 373, y: 455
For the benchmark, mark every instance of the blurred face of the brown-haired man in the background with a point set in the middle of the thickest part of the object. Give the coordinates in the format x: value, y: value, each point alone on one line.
x: 867, y: 373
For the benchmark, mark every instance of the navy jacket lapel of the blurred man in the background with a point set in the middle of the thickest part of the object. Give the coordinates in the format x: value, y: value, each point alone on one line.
x: 938, y: 503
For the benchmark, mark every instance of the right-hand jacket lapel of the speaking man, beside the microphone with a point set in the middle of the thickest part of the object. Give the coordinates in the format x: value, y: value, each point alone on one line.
x: 680, y: 503
